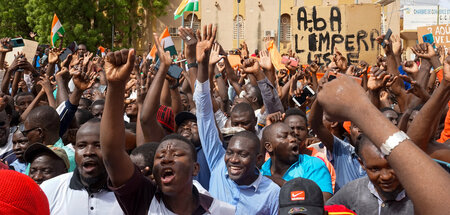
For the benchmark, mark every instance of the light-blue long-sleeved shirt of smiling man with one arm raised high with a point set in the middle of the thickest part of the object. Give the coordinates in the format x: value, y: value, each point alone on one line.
x: 260, y: 197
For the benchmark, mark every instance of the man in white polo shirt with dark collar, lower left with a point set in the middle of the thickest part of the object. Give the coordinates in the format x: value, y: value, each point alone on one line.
x: 84, y: 191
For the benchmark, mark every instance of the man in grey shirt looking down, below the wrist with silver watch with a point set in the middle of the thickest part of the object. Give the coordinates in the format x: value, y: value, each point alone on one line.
x: 378, y: 193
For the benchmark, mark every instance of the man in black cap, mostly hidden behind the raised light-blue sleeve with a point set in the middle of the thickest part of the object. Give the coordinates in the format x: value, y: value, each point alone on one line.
x: 187, y: 127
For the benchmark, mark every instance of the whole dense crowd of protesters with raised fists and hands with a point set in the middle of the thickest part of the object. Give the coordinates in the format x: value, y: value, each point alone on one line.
x: 119, y: 134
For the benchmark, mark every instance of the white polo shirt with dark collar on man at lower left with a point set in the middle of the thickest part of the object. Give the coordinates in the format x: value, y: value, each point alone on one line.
x: 64, y: 200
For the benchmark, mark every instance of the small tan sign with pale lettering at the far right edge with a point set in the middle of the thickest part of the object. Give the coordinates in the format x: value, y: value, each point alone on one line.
x: 441, y: 35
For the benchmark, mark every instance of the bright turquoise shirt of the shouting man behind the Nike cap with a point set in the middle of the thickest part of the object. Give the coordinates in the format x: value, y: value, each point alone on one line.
x: 308, y: 167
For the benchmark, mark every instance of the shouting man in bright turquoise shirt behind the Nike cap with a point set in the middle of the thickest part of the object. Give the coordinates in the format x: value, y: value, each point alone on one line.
x: 286, y: 162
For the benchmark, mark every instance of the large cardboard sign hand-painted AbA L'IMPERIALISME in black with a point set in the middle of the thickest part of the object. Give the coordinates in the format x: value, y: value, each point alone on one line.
x: 317, y: 30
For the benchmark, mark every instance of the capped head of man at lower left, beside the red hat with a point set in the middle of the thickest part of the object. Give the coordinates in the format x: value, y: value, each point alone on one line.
x: 46, y: 162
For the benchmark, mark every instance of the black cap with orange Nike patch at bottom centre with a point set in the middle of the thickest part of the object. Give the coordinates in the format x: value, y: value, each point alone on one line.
x: 301, y: 196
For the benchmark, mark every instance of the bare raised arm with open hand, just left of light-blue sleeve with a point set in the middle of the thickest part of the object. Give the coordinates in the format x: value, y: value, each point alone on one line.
x: 151, y: 129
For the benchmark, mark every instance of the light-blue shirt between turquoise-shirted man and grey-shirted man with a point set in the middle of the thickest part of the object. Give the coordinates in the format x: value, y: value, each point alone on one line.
x: 345, y: 162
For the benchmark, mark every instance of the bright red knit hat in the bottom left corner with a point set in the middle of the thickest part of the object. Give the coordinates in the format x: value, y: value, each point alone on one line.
x: 19, y: 194
